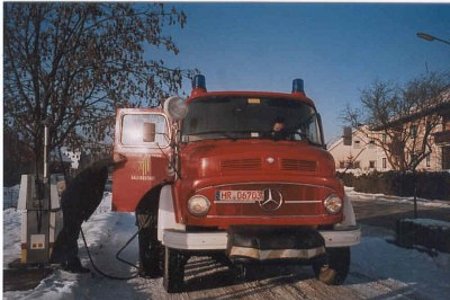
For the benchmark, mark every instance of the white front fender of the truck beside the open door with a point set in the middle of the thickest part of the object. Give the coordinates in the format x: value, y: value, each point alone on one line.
x: 166, y: 213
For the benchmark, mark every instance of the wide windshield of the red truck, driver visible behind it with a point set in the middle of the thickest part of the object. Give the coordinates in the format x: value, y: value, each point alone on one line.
x: 251, y: 118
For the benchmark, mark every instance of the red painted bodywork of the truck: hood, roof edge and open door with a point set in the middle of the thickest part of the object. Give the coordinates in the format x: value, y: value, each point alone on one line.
x: 304, y: 173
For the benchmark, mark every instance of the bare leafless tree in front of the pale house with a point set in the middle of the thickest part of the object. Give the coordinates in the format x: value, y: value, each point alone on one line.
x: 401, y: 119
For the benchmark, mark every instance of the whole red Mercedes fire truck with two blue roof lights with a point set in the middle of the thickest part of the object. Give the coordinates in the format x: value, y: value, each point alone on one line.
x: 241, y: 176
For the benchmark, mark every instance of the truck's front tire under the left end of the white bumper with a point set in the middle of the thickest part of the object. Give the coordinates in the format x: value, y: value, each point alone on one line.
x: 174, y: 262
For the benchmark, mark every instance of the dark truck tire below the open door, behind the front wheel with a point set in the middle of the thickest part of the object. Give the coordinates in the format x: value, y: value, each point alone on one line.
x: 151, y: 252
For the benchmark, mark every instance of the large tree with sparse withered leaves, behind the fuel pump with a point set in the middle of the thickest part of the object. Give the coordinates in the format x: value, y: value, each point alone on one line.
x: 75, y: 63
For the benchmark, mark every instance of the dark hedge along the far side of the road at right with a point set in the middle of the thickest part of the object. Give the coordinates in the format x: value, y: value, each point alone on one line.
x: 430, y: 185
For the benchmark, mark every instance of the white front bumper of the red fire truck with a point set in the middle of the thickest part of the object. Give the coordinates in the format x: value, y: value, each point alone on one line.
x: 340, y: 237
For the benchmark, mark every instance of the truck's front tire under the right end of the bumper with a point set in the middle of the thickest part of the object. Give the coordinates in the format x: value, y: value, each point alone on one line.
x: 333, y: 267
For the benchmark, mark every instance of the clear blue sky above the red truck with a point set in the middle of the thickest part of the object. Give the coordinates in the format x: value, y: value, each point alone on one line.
x: 338, y: 49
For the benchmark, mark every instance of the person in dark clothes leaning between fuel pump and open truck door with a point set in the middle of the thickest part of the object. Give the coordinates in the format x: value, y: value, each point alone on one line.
x: 78, y: 202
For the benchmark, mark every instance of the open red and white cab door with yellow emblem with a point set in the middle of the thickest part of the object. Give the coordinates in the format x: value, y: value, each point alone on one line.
x: 147, y: 158
